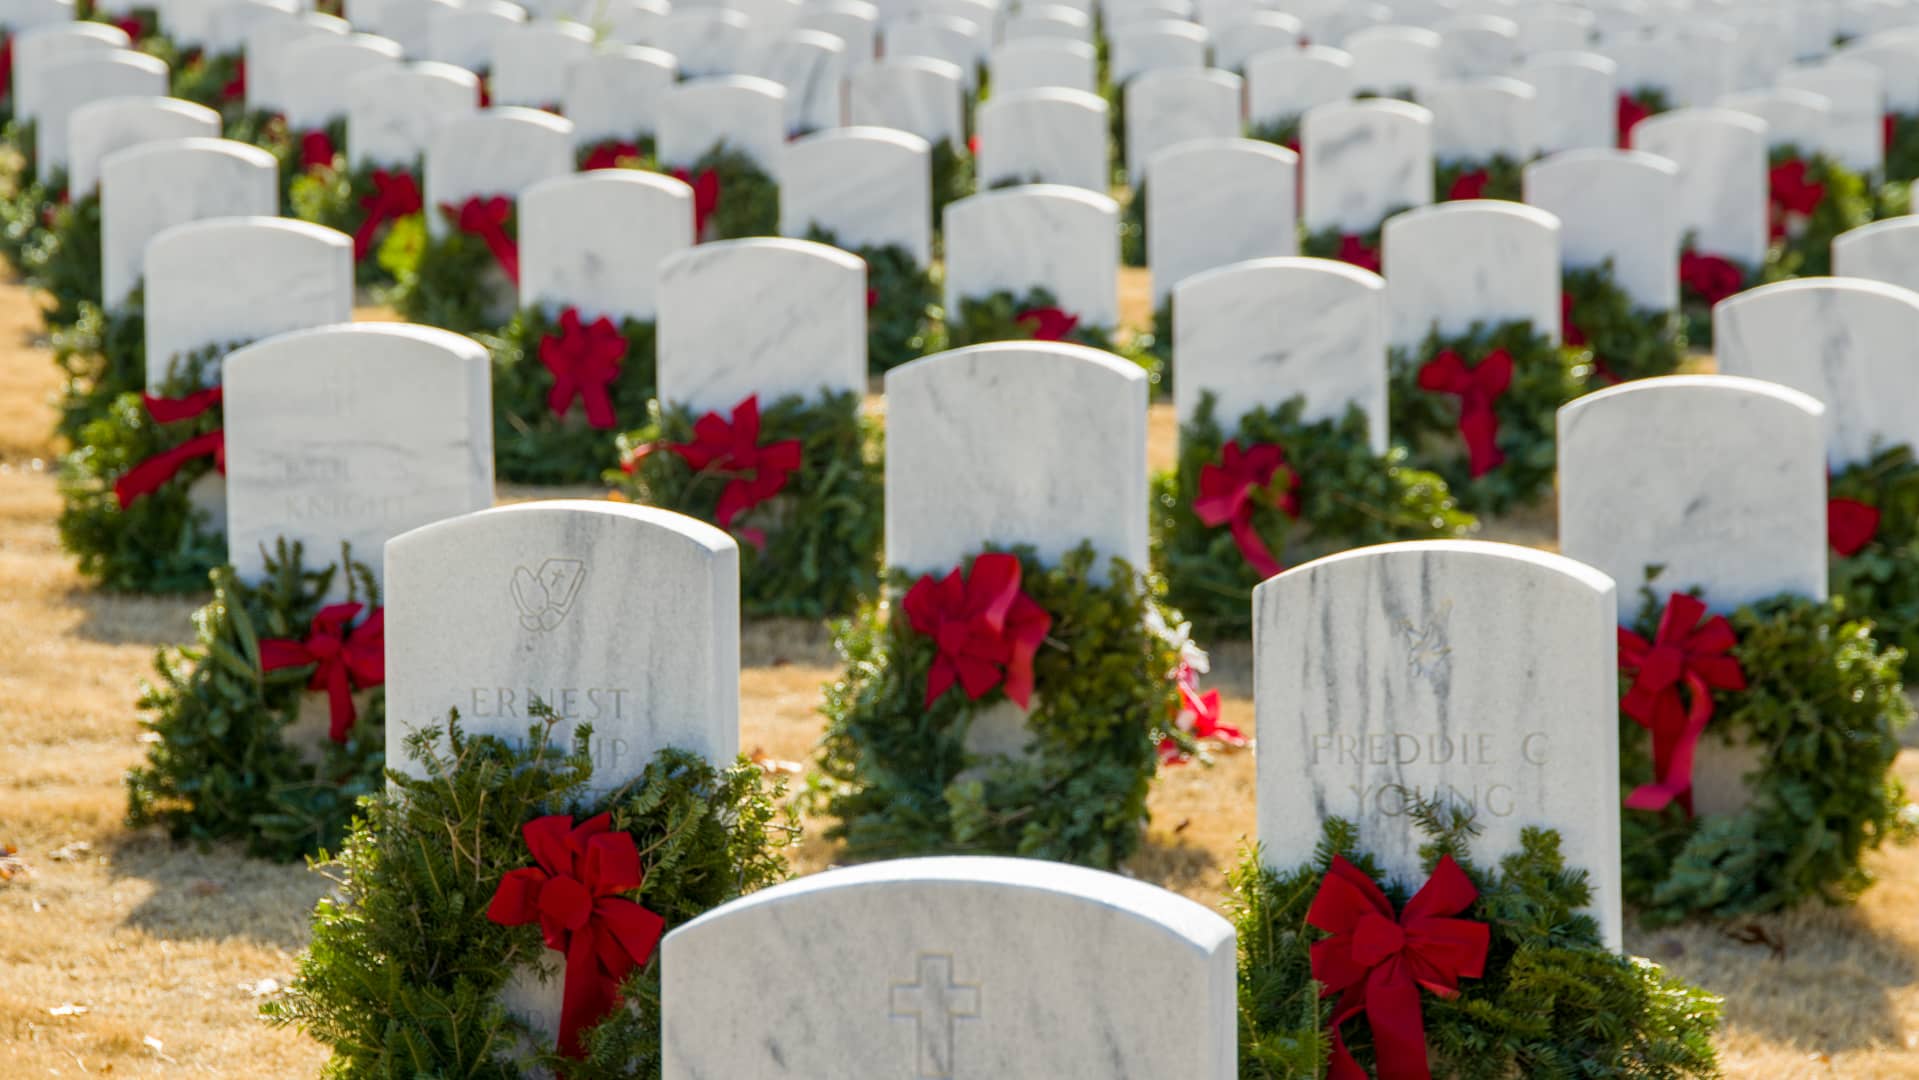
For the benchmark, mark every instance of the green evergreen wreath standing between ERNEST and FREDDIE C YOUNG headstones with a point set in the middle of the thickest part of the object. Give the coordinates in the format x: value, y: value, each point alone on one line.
x: 897, y: 772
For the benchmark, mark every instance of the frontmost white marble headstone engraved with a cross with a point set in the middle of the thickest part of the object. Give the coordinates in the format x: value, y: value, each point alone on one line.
x: 957, y: 968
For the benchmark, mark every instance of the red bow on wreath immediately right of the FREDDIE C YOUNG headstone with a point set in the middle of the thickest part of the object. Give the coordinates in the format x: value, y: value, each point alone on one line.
x: 1682, y: 653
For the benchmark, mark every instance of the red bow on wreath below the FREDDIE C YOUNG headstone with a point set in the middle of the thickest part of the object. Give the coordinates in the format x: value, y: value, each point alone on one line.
x: 1377, y: 962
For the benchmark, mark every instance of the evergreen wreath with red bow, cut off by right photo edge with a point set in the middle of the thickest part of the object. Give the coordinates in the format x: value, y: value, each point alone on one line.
x: 1882, y: 580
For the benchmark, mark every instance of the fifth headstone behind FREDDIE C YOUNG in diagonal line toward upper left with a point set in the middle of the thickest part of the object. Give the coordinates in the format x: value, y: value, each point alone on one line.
x: 394, y: 112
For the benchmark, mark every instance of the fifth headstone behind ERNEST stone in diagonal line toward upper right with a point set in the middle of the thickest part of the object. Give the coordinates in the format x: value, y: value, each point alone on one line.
x: 1724, y: 199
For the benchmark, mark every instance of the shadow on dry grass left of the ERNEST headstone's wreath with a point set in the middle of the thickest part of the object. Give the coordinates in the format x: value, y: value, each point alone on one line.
x: 216, y: 895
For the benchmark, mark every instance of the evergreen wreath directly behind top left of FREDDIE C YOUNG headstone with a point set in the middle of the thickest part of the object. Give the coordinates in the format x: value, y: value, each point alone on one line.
x: 1346, y: 498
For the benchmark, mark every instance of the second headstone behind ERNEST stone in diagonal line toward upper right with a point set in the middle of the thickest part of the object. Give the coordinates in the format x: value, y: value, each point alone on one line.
x: 1266, y: 331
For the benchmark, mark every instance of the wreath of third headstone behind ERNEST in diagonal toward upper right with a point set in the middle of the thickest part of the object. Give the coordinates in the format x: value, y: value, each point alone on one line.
x: 1544, y: 379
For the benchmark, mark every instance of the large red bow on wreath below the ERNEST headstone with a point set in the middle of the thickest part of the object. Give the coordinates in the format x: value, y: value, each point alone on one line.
x: 575, y: 897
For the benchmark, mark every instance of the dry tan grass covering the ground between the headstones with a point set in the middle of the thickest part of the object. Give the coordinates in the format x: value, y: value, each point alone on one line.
x: 172, y: 945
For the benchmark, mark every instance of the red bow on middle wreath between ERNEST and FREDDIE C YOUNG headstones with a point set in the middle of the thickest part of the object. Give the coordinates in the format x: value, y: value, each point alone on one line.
x: 985, y: 628
